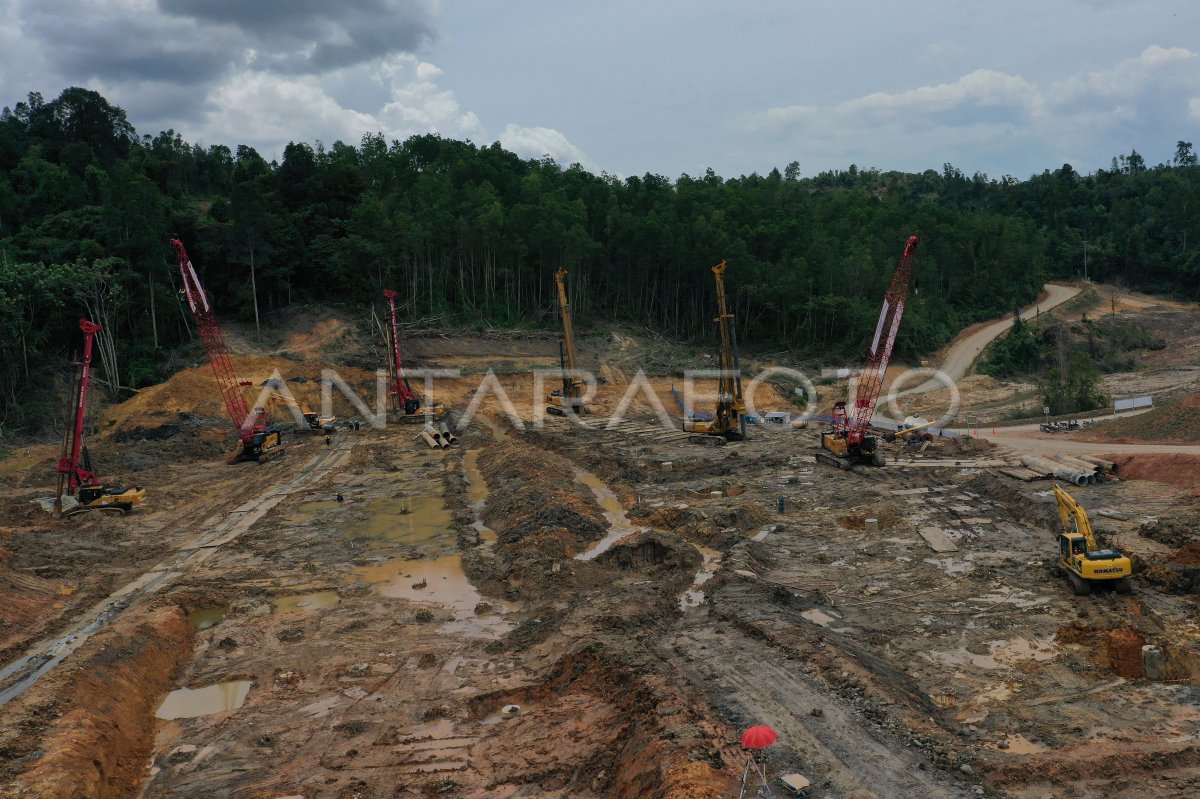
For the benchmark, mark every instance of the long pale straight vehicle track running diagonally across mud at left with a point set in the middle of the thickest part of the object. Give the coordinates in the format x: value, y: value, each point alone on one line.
x: 21, y: 675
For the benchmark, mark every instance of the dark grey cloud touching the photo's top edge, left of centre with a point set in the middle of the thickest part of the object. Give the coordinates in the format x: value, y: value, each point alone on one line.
x: 307, y: 37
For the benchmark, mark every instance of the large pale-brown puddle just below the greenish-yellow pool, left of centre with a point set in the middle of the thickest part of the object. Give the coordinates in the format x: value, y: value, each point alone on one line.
x: 440, y: 582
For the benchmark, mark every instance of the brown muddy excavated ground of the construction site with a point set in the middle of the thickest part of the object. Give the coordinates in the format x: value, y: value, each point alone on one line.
x: 562, y: 611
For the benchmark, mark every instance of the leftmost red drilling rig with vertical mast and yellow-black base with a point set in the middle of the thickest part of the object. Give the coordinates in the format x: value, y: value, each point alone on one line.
x: 76, y: 474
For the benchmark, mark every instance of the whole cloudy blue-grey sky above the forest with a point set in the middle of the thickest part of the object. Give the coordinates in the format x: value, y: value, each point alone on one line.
x: 628, y: 87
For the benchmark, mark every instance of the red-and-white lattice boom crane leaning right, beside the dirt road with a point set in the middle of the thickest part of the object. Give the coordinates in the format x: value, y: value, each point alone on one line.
x: 850, y: 441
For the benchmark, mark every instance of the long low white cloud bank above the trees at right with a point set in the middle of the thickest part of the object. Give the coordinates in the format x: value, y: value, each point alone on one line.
x: 988, y: 117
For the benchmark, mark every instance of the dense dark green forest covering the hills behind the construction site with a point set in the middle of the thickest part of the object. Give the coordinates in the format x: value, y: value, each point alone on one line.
x: 471, y: 236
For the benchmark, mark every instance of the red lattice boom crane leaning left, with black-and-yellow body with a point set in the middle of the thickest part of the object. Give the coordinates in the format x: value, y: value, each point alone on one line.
x: 260, y: 441
